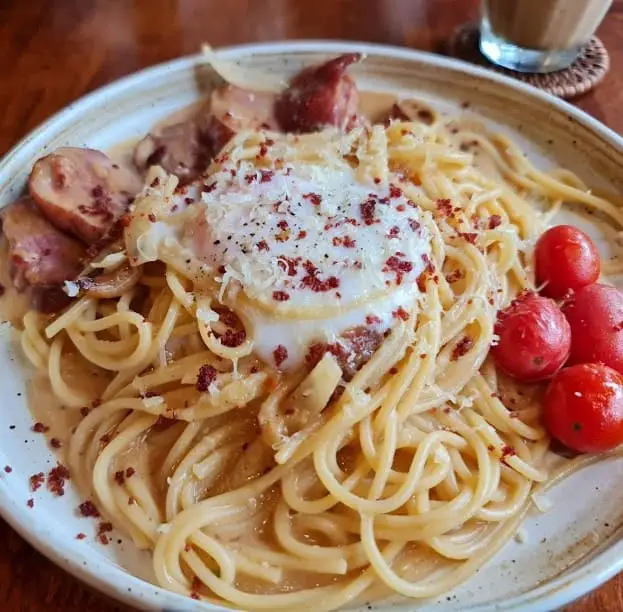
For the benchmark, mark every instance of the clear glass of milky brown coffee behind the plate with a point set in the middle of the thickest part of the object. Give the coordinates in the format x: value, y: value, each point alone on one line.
x: 538, y: 35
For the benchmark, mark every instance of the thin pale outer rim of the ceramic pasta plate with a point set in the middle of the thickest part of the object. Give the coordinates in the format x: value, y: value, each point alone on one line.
x: 113, y: 580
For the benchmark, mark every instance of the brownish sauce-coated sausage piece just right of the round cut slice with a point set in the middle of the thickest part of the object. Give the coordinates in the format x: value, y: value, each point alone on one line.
x: 178, y: 148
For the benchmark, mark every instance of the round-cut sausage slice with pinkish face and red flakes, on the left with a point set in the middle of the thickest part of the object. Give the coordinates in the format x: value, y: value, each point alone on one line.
x: 82, y: 191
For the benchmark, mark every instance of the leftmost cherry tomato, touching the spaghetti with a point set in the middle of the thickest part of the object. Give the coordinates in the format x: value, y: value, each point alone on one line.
x: 534, y: 338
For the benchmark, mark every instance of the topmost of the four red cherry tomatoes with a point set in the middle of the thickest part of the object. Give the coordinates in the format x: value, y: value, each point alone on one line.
x: 565, y: 258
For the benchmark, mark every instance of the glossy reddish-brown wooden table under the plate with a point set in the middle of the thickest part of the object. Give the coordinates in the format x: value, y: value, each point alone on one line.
x: 53, y: 51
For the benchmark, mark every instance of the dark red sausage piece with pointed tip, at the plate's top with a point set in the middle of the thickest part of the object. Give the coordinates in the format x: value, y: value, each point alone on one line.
x: 320, y: 96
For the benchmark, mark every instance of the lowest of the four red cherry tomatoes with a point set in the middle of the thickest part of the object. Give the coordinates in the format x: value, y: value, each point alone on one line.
x: 584, y: 407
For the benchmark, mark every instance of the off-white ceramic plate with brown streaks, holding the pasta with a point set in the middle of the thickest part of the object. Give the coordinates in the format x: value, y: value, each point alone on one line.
x: 568, y: 551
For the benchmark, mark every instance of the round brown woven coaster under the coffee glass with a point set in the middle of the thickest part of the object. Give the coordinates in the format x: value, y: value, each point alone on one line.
x: 587, y: 71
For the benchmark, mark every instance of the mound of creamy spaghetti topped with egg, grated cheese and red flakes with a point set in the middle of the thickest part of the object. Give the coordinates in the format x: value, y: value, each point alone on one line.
x: 276, y: 488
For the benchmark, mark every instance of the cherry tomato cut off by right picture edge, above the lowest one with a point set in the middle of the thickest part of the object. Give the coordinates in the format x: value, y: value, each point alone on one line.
x: 595, y: 314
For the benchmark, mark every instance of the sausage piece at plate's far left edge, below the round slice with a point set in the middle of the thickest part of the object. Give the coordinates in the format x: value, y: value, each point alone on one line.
x: 41, y: 255
